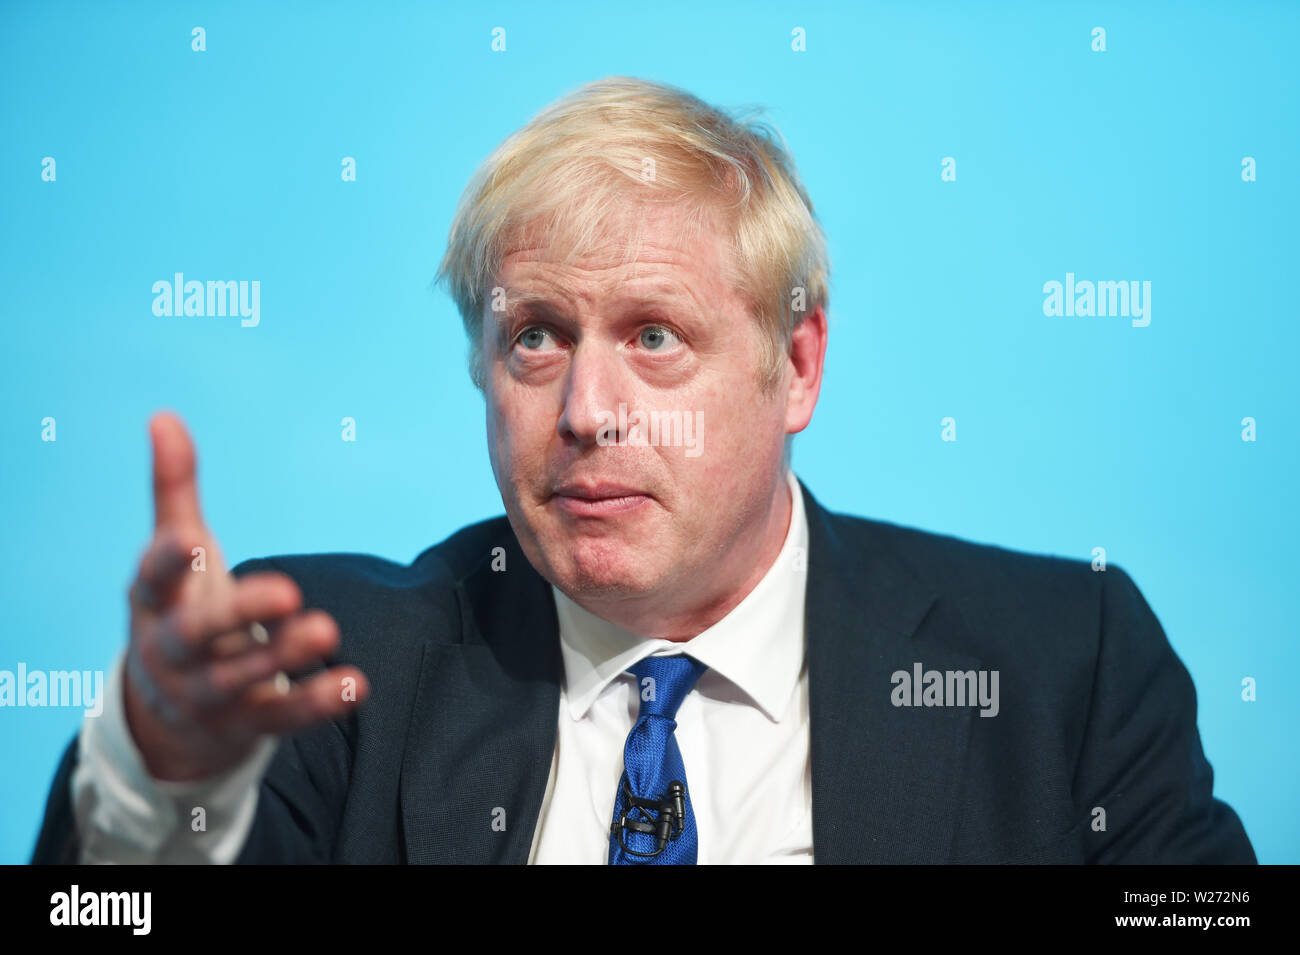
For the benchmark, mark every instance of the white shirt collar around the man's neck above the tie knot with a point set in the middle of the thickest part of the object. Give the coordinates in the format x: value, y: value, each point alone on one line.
x: 759, y: 646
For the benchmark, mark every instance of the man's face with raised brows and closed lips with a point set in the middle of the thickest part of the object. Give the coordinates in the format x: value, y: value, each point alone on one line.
x: 612, y: 522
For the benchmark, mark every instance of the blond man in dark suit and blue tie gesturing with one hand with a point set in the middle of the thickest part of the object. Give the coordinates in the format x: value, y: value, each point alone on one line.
x: 668, y: 652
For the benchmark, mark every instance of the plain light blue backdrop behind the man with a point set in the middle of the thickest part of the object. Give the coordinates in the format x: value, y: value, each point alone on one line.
x: 1073, y: 433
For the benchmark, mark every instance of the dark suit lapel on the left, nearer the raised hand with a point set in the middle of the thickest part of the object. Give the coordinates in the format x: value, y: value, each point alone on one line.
x: 483, y: 728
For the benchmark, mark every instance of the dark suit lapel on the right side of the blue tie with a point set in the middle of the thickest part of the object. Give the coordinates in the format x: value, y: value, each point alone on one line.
x: 885, y: 779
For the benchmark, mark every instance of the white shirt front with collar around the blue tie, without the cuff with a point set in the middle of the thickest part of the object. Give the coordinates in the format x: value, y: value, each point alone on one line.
x: 743, y: 731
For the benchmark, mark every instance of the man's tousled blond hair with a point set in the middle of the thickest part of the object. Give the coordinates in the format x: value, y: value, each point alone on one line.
x: 583, y: 158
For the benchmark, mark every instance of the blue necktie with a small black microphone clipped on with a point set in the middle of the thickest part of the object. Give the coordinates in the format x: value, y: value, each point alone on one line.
x: 652, y: 809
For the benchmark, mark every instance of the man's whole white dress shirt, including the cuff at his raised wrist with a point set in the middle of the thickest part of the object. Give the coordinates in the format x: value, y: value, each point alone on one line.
x: 743, y: 732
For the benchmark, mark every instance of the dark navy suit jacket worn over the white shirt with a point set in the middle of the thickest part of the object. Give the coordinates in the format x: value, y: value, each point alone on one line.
x: 465, y: 666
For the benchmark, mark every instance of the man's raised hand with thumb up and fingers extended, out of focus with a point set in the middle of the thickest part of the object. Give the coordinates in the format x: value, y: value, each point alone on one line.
x: 206, y: 663
